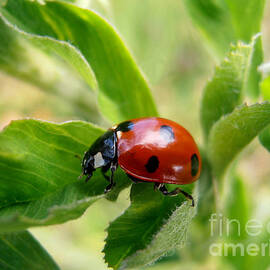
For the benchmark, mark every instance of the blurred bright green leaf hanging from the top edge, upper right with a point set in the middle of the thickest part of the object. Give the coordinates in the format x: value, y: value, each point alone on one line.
x: 225, y: 21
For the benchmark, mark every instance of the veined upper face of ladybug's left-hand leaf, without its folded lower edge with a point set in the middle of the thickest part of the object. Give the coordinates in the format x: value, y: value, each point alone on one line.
x: 38, y: 157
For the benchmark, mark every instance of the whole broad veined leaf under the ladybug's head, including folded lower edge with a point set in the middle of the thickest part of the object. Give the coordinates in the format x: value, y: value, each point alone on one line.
x: 39, y: 171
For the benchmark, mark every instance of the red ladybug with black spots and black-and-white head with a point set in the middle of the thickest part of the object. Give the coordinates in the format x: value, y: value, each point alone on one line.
x: 148, y: 149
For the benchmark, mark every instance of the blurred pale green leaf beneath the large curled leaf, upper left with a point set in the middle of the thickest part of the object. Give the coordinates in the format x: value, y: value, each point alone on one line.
x: 20, y: 58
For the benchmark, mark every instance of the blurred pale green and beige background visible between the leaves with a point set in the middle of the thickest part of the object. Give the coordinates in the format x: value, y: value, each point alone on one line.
x: 177, y: 62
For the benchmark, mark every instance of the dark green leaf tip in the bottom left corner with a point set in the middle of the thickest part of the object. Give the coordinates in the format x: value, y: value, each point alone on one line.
x: 22, y: 251
